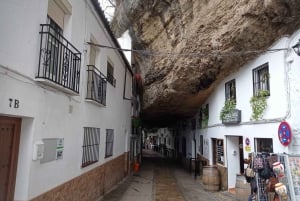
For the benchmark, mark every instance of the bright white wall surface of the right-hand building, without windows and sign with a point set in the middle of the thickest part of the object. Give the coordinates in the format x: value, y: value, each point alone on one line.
x: 283, y: 105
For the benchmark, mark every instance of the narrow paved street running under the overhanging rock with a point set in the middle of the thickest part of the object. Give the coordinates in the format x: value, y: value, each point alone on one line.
x: 161, y: 180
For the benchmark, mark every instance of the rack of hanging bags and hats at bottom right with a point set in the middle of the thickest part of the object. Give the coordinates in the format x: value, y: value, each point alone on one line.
x: 277, y: 177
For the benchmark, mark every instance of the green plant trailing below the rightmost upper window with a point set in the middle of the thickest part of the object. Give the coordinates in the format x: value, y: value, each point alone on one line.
x: 259, y: 104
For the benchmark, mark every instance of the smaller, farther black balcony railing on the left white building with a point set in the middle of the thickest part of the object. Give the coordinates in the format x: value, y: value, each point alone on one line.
x: 96, y: 85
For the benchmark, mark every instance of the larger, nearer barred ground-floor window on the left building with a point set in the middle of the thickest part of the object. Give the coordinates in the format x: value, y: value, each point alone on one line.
x: 90, y: 147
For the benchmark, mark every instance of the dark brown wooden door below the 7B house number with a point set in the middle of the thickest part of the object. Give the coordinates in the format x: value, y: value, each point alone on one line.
x: 9, y: 148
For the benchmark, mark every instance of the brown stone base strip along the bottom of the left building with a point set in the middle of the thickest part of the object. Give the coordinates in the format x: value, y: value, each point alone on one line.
x: 90, y: 185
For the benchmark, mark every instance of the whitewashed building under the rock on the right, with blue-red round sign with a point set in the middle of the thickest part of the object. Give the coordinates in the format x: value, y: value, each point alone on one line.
x: 227, y: 142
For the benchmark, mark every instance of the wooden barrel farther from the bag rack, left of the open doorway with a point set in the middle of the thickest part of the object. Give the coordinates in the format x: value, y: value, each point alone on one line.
x: 211, y: 178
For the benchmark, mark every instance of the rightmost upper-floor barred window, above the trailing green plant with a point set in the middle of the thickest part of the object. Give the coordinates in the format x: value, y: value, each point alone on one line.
x: 261, y: 79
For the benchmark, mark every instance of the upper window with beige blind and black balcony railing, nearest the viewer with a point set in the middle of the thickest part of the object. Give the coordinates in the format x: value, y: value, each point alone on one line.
x: 59, y: 60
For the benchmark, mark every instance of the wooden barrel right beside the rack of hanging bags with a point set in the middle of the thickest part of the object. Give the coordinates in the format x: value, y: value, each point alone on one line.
x: 242, y: 188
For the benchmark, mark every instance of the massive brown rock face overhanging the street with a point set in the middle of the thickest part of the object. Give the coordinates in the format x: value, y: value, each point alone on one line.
x: 191, y: 45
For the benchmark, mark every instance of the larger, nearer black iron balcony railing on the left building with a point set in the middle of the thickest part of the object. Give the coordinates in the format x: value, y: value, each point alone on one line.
x: 59, y: 60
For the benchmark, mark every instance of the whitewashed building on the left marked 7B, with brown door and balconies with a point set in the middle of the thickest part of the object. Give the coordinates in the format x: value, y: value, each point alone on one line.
x: 65, y: 112
